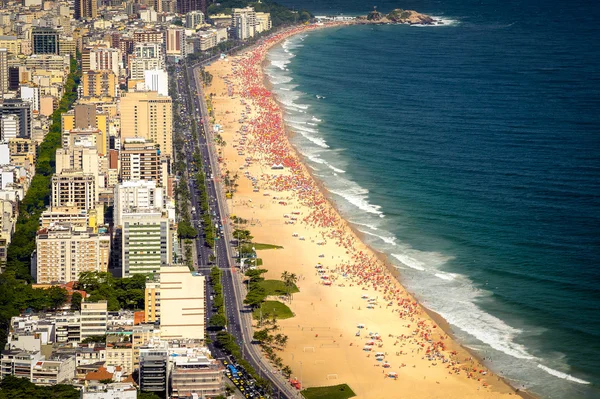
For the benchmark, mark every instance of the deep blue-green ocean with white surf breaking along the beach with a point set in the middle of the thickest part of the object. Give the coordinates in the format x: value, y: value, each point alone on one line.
x: 469, y: 154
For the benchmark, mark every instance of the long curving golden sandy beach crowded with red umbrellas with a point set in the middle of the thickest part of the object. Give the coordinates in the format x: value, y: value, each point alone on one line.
x: 350, y: 307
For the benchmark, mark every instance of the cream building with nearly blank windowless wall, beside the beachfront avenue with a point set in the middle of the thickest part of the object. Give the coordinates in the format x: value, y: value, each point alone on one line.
x: 181, y: 303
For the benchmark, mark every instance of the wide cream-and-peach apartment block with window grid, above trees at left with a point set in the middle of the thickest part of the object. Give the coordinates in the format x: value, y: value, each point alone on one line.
x: 63, y: 253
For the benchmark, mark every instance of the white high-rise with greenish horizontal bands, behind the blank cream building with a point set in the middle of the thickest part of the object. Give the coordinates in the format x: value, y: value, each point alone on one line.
x: 146, y: 242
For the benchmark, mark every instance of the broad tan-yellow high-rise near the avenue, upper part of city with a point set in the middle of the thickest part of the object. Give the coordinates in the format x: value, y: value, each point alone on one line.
x: 148, y: 115
